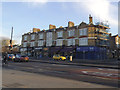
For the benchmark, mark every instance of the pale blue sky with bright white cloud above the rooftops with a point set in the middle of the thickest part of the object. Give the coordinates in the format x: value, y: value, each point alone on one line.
x: 24, y: 16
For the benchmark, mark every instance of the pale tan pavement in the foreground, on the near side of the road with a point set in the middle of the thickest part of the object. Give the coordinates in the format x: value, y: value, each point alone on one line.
x: 21, y: 79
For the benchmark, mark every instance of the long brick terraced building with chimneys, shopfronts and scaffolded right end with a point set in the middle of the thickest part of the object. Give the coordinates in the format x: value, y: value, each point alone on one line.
x: 83, y: 41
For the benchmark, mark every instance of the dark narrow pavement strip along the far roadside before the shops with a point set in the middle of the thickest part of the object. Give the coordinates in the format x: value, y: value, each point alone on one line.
x: 89, y: 63
